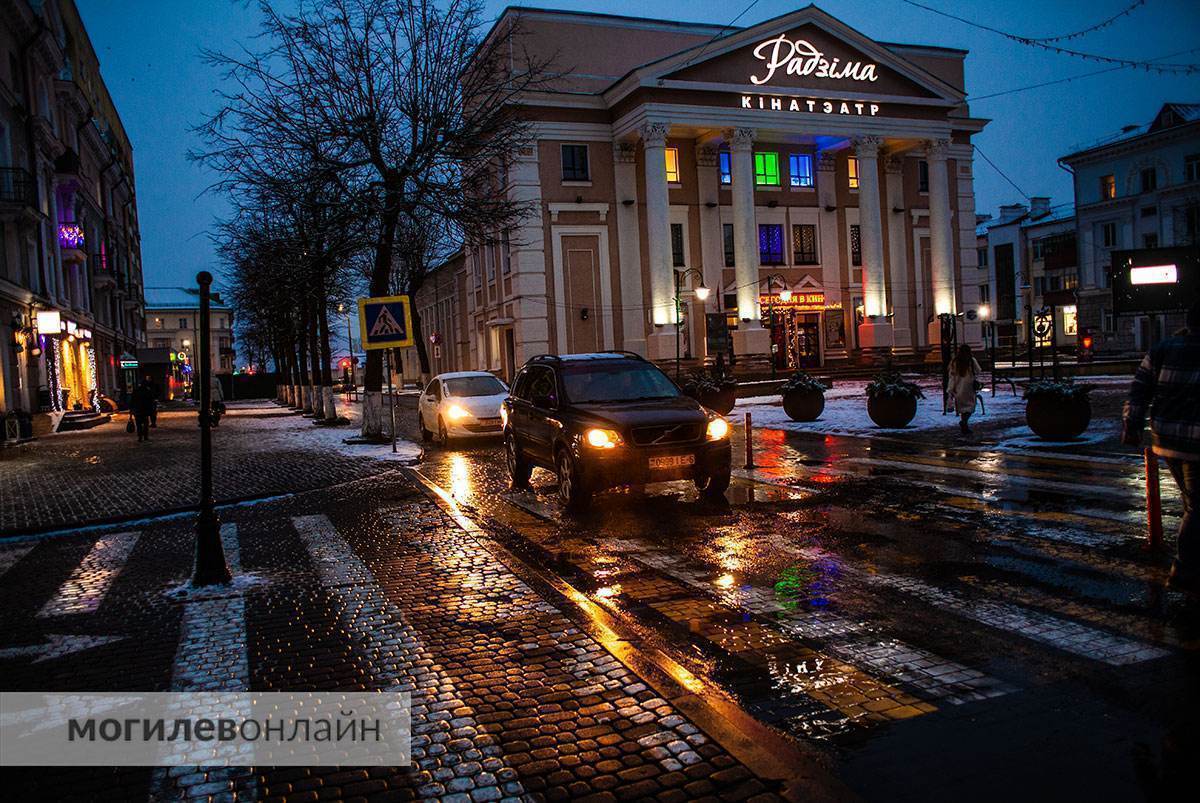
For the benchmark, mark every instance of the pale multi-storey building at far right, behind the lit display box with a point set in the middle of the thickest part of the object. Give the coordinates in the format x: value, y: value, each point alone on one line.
x: 1141, y: 190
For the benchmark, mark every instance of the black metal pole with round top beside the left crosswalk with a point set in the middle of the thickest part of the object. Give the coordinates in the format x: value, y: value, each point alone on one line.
x: 211, y: 564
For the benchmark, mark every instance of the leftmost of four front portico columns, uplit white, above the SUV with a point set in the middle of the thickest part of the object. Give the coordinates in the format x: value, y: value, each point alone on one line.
x: 661, y: 344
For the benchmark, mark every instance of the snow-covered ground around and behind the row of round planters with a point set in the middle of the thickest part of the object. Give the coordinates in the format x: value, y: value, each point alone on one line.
x: 845, y: 412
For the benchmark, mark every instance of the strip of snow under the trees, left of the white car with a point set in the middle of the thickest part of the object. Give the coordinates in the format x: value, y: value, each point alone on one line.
x: 274, y: 426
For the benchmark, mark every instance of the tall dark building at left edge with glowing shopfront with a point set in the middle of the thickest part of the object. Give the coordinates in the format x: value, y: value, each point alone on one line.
x: 71, y: 302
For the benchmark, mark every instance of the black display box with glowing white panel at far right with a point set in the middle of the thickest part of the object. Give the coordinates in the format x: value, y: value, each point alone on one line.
x: 1155, y: 280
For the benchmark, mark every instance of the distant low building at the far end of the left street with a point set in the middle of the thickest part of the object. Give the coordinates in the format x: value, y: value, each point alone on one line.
x: 173, y: 317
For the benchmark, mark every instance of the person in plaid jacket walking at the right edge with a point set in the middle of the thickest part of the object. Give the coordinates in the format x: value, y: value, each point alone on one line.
x: 1168, y: 388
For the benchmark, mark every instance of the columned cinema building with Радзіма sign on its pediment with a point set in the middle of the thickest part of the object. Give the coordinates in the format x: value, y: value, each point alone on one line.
x: 794, y: 183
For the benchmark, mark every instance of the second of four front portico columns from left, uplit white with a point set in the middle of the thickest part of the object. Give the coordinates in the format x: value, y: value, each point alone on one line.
x: 751, y: 338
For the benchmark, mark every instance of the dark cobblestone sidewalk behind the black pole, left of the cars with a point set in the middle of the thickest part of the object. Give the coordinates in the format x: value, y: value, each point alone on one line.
x: 105, y: 474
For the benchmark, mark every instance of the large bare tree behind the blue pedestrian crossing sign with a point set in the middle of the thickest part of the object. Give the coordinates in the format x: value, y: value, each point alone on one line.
x: 407, y: 103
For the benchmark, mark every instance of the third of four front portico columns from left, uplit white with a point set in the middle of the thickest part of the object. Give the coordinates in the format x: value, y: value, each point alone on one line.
x: 875, y: 333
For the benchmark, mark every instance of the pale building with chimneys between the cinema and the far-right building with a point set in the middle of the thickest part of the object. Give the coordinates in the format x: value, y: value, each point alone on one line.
x: 1029, y: 257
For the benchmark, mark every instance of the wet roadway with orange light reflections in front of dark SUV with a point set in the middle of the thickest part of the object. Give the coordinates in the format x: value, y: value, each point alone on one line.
x: 901, y: 603
